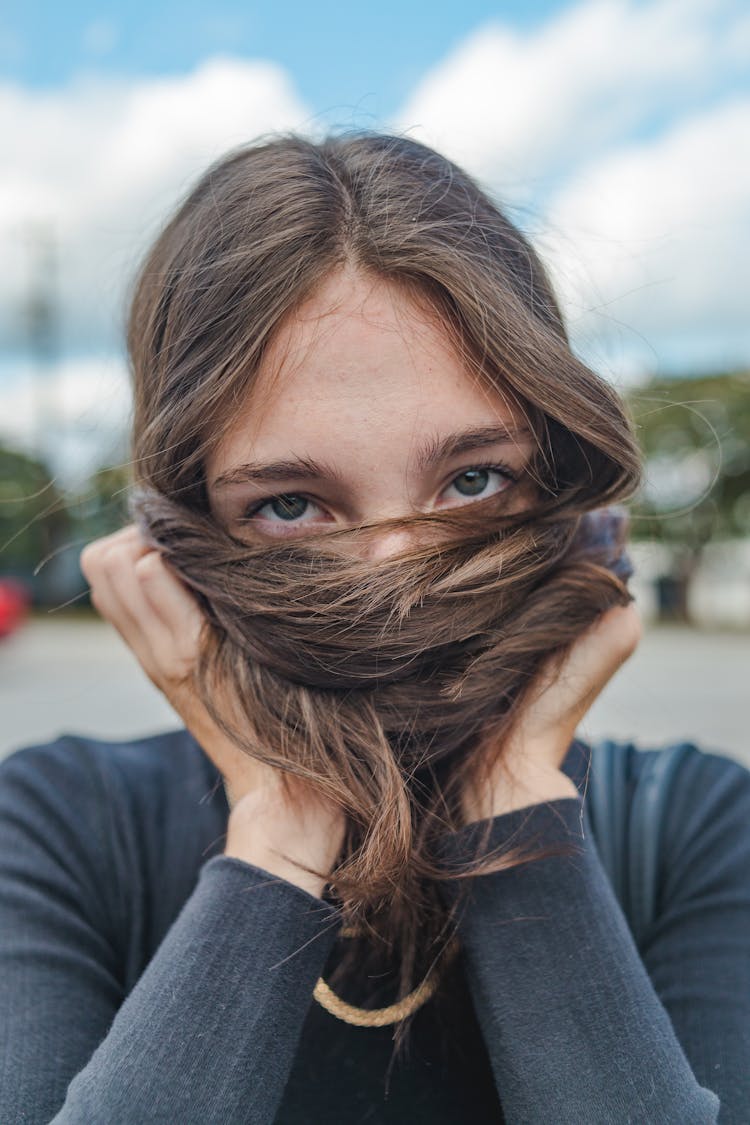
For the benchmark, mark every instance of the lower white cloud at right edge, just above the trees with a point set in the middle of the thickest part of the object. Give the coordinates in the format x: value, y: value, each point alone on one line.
x: 655, y: 239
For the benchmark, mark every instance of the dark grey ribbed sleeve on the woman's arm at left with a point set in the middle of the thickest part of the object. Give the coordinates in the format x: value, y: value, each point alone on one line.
x: 209, y: 1033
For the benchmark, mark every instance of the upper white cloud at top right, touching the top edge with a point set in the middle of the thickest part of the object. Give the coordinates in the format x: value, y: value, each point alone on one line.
x: 519, y: 109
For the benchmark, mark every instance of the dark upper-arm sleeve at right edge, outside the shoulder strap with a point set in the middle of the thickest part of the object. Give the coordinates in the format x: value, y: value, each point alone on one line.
x: 698, y: 952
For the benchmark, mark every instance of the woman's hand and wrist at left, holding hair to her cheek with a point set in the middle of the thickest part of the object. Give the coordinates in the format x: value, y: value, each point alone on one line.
x: 162, y: 624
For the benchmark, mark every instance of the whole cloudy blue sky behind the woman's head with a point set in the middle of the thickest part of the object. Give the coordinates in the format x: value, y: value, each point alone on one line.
x: 615, y: 132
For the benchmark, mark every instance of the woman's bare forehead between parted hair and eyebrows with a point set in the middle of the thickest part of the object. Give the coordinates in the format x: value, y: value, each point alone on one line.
x: 358, y: 358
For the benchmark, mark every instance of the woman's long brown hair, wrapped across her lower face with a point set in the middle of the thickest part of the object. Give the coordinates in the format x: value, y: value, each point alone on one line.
x: 384, y: 686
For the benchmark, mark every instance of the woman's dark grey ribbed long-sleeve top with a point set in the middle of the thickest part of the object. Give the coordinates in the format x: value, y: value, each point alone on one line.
x: 146, y: 977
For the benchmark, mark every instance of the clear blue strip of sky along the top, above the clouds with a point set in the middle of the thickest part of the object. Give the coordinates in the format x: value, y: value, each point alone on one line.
x: 366, y: 57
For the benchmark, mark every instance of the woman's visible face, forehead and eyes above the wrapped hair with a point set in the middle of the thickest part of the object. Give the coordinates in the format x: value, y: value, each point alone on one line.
x: 362, y: 412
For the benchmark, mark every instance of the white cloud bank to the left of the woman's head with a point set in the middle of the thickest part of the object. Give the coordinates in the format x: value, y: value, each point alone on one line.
x: 104, y: 161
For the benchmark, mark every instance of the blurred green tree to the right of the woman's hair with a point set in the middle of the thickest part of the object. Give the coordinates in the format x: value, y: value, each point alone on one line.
x: 695, y: 434
